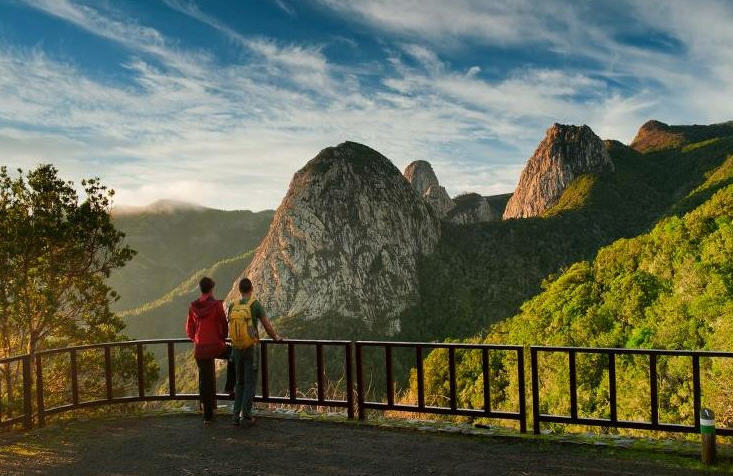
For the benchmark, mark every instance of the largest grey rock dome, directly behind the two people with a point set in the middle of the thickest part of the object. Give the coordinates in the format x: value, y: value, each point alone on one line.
x: 345, y: 241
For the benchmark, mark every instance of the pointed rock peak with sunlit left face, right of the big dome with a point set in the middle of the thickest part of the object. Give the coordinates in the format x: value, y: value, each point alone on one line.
x: 565, y: 153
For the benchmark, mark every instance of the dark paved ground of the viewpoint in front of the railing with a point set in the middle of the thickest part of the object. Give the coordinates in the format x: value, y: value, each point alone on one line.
x: 181, y: 444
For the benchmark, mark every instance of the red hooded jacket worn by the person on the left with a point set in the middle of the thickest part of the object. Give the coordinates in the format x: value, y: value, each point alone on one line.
x: 207, y: 327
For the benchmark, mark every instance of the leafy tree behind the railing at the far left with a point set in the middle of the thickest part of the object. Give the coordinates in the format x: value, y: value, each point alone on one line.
x: 56, y: 252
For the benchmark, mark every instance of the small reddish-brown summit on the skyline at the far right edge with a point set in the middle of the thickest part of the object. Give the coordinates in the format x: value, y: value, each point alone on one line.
x: 655, y: 135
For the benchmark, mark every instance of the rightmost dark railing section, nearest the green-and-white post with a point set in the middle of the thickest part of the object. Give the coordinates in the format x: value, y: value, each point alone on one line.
x: 613, y: 420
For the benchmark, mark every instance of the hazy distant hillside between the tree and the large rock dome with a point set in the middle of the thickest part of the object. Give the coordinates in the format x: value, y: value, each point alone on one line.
x: 173, y: 240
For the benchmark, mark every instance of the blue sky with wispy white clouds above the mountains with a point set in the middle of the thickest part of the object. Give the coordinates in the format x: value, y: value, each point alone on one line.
x: 219, y: 102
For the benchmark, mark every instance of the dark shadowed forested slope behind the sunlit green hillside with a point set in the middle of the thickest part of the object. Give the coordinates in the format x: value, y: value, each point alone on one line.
x: 482, y: 273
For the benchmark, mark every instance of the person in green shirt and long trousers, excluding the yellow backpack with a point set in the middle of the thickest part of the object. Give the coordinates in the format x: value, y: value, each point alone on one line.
x: 245, y: 359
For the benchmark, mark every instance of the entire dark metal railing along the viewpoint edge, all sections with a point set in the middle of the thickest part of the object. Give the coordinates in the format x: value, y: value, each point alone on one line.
x: 356, y: 400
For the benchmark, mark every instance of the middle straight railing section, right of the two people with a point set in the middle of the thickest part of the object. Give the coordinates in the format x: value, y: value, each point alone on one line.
x: 452, y: 409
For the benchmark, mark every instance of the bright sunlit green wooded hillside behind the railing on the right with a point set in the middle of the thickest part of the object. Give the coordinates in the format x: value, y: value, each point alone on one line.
x: 669, y: 288
